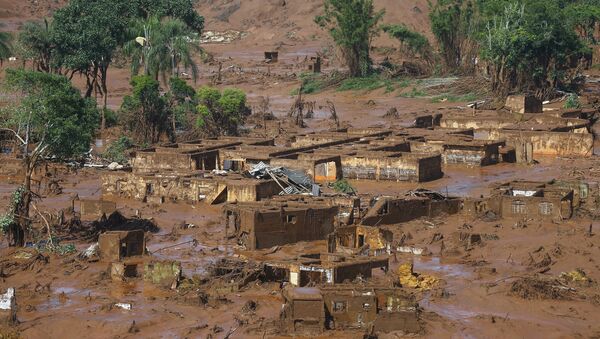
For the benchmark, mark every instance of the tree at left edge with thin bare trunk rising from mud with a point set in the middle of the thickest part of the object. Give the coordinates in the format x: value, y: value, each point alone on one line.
x: 48, y: 117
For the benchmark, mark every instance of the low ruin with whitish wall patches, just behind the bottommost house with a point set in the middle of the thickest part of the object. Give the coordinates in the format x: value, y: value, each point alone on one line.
x: 325, y: 268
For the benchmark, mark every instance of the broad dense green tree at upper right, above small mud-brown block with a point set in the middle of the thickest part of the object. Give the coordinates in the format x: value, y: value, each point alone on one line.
x: 529, y: 47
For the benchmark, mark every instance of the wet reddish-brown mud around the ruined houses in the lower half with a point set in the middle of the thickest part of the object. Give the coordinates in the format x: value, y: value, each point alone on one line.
x: 64, y: 296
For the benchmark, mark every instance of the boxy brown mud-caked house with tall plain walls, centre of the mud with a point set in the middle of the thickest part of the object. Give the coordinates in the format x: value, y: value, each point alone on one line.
x: 264, y: 225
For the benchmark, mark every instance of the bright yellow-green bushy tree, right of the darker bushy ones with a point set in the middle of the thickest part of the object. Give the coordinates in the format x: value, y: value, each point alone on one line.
x: 221, y: 112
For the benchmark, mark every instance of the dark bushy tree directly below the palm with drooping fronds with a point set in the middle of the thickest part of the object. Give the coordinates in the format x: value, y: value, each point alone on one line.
x: 144, y: 112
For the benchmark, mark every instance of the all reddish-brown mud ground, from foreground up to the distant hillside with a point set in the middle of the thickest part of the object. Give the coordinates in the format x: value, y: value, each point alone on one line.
x: 66, y: 296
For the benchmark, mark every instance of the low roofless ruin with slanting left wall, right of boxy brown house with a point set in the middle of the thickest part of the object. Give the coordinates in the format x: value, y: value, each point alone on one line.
x: 414, y: 205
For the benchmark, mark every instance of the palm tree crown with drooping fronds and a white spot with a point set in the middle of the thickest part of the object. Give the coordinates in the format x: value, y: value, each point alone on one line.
x: 161, y: 47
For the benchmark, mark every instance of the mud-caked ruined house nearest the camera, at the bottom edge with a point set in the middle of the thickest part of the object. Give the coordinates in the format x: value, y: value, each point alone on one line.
x: 346, y: 307
